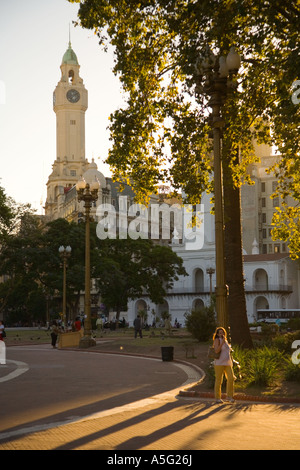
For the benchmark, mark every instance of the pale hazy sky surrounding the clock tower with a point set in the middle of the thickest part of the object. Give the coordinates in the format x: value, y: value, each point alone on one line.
x: 34, y: 35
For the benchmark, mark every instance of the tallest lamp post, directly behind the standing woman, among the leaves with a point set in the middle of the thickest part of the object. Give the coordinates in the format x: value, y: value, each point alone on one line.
x: 218, y: 73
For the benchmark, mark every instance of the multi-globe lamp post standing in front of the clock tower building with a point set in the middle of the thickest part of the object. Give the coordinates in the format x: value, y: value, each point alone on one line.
x: 88, y: 194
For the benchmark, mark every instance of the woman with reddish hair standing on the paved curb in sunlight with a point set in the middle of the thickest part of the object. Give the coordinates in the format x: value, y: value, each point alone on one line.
x: 223, y: 365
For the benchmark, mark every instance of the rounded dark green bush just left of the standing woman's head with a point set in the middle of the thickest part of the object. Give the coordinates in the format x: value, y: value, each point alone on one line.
x: 201, y: 323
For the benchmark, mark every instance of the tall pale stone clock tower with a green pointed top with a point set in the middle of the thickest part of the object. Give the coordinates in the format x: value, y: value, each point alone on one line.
x: 70, y: 102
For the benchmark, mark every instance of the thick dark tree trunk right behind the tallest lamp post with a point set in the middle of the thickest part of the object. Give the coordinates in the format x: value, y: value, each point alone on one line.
x: 237, y: 311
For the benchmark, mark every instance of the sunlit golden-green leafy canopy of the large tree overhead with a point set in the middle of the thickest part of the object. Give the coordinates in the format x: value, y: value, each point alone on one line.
x: 162, y: 134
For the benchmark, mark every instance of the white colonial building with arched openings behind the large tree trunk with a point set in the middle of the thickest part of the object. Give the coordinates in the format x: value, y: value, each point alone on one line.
x: 271, y: 280
